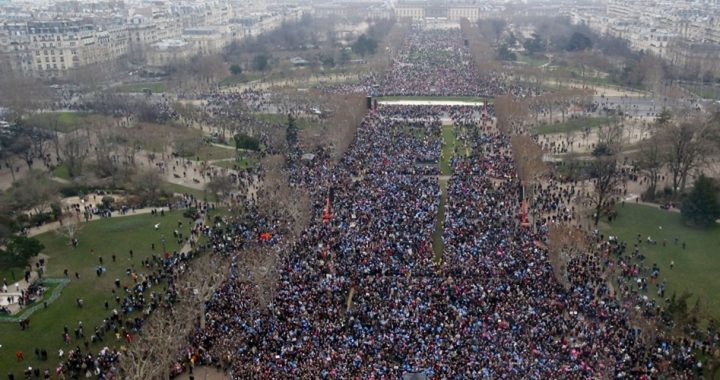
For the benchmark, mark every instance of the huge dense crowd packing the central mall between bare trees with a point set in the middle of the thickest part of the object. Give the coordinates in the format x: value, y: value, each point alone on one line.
x: 363, y: 294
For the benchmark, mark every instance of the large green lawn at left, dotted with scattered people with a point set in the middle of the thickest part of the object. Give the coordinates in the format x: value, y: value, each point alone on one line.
x: 104, y: 238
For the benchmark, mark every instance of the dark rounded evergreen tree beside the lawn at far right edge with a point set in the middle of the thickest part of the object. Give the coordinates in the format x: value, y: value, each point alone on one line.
x: 701, y: 207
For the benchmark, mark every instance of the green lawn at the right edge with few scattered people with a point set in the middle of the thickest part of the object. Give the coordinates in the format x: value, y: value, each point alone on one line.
x: 696, y: 267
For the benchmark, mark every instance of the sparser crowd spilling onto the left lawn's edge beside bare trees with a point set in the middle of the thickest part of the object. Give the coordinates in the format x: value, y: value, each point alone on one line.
x: 132, y: 299
